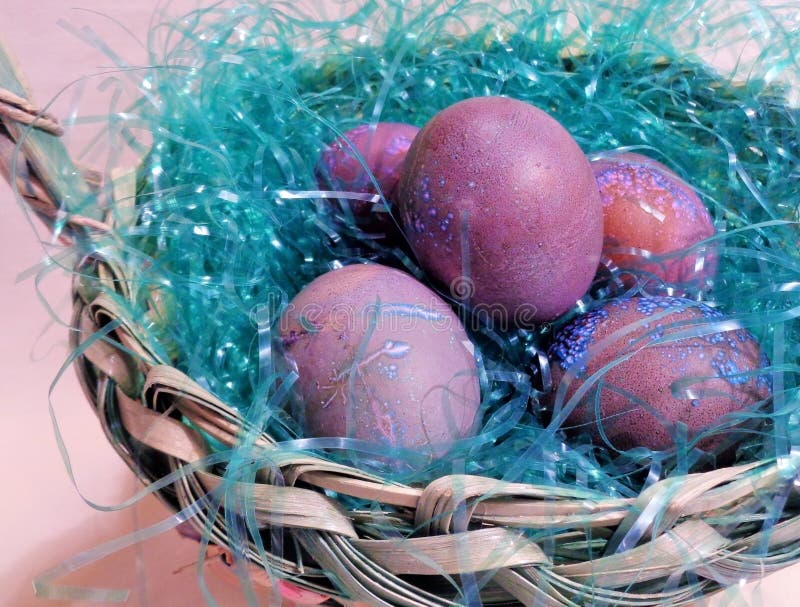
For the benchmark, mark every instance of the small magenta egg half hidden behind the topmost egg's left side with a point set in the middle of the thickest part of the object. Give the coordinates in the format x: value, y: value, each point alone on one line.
x: 383, y: 147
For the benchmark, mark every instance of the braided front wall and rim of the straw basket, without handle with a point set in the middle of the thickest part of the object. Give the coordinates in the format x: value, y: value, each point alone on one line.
x: 466, y: 524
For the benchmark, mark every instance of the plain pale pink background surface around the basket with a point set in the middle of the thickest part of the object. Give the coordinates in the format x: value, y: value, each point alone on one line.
x: 44, y: 521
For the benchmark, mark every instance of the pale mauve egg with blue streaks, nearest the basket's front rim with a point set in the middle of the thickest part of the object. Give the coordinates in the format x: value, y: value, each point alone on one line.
x: 380, y: 357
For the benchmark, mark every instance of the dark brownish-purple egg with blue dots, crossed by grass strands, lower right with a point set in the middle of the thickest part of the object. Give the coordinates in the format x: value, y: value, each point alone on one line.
x: 645, y: 395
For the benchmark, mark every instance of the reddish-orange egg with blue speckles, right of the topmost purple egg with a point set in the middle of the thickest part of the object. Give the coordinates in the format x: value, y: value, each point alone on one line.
x: 648, y: 207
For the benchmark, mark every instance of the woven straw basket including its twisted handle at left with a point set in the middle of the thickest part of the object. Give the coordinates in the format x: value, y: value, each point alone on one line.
x: 473, y: 529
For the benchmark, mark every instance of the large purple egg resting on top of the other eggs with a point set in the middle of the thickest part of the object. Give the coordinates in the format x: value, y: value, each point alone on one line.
x: 496, y: 192
